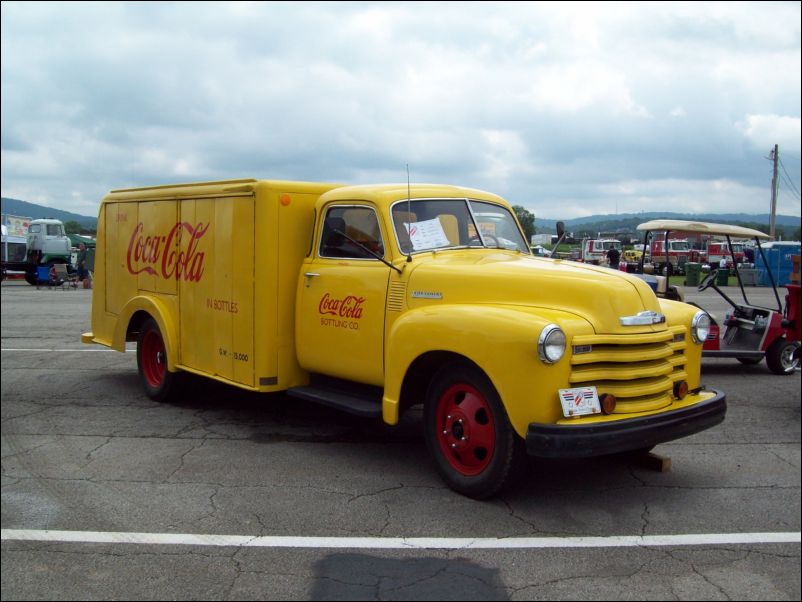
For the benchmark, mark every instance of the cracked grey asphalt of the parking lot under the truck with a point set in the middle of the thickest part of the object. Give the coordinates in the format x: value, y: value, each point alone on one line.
x: 83, y: 449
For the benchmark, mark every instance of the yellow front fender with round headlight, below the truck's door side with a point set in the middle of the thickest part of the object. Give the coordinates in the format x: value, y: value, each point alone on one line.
x: 502, y: 341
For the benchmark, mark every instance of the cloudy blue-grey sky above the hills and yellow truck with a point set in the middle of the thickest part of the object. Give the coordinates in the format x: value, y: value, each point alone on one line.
x: 569, y: 109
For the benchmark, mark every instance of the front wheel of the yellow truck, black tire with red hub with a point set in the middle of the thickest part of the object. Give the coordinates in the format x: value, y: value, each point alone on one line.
x: 475, y: 449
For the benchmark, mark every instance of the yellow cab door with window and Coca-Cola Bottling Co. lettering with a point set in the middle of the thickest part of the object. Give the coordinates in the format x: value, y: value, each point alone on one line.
x: 342, y: 294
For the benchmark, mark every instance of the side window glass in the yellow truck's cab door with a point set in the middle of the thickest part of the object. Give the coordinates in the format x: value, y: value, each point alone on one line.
x: 351, y: 232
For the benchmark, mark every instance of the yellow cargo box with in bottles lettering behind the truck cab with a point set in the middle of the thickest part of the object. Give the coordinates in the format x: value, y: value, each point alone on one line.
x: 215, y: 265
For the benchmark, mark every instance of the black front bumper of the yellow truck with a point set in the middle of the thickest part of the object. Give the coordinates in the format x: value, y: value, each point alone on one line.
x: 602, y: 438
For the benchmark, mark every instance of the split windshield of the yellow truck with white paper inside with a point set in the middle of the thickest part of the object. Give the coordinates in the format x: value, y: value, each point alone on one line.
x: 423, y: 225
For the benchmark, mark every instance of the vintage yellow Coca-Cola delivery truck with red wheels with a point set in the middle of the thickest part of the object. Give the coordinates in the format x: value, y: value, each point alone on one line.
x: 373, y: 299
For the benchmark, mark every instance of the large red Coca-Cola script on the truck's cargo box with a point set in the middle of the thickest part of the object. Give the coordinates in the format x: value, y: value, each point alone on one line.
x: 156, y: 255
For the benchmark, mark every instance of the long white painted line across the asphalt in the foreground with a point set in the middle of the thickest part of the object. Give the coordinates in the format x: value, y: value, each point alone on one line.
x: 399, y: 543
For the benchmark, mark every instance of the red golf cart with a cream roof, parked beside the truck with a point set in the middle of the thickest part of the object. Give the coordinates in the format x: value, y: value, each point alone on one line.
x: 749, y: 332
